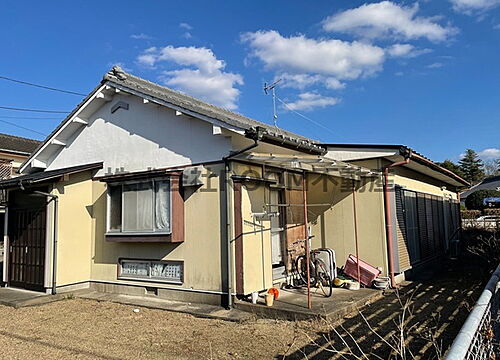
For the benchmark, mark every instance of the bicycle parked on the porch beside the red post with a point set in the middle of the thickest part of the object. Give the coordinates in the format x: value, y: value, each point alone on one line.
x: 319, y: 275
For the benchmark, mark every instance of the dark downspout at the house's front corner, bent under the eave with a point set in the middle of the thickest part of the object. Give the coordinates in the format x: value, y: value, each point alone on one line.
x: 226, y: 230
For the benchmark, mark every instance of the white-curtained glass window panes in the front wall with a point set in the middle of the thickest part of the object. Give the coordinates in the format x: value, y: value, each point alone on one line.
x: 139, y: 207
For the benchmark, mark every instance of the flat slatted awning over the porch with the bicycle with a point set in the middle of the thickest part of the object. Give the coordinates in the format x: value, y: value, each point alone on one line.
x: 310, y: 163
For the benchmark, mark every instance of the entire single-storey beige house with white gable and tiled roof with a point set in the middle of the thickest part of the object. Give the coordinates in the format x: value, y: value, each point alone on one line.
x: 144, y: 190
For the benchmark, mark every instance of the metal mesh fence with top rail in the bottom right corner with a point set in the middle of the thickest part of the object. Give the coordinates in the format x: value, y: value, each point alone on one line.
x: 478, y: 338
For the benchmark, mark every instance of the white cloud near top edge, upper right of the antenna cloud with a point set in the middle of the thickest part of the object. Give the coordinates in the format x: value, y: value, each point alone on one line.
x: 388, y: 20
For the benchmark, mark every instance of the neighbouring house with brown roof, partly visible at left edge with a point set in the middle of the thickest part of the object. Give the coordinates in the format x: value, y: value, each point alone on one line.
x: 14, y: 150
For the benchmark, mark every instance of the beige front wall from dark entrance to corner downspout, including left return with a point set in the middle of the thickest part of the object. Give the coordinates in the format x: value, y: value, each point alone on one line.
x: 85, y: 255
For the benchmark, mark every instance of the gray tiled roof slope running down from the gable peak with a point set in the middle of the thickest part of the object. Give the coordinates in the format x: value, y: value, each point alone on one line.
x: 118, y: 76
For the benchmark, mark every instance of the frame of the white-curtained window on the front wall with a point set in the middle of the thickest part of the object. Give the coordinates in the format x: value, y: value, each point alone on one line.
x: 121, y: 232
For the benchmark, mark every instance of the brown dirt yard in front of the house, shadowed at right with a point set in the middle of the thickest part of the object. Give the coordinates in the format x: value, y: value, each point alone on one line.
x: 84, y: 329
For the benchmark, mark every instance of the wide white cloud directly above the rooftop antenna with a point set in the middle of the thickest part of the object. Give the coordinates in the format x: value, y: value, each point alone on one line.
x: 300, y: 55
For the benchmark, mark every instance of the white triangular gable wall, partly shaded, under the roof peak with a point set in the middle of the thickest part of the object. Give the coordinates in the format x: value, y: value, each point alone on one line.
x: 144, y: 136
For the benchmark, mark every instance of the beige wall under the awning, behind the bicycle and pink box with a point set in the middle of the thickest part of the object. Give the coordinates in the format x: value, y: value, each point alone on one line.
x: 333, y: 225
